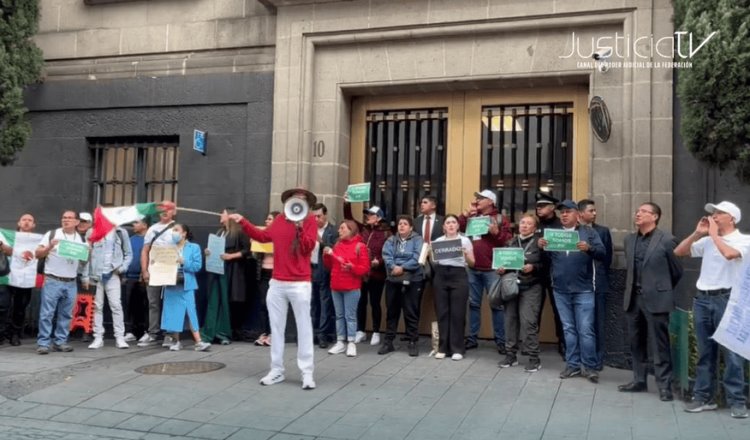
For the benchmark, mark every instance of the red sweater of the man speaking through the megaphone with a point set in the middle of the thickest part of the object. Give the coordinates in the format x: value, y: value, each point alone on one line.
x: 289, y: 263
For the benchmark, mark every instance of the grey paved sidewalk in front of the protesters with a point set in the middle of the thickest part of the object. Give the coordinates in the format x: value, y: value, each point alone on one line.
x: 96, y: 394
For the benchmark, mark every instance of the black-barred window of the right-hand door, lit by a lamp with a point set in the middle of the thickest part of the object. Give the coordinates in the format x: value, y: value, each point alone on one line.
x: 525, y: 148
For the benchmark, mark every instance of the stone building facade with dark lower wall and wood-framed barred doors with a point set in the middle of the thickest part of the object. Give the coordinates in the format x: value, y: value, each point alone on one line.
x: 312, y: 92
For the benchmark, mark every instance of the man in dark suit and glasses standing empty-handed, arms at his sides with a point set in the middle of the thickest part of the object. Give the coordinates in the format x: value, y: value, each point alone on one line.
x: 653, y: 272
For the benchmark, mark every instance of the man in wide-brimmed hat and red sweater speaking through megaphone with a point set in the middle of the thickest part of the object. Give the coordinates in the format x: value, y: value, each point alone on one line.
x: 294, y: 234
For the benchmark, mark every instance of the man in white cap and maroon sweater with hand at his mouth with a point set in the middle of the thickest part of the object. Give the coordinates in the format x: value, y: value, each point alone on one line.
x: 481, y: 276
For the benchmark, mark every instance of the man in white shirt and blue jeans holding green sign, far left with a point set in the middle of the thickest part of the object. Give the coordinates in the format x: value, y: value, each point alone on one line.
x: 59, y: 291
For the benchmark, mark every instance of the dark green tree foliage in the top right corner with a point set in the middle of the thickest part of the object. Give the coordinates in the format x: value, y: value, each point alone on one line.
x: 714, y: 93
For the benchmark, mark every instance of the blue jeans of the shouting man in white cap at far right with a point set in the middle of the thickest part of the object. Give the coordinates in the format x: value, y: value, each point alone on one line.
x: 707, y: 312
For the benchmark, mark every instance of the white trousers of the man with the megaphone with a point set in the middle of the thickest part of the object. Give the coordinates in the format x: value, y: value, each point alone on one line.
x: 280, y: 295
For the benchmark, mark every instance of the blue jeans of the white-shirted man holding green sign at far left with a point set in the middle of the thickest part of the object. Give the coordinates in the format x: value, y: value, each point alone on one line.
x: 56, y: 296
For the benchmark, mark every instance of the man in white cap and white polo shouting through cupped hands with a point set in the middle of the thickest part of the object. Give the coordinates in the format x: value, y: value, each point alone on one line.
x: 722, y: 247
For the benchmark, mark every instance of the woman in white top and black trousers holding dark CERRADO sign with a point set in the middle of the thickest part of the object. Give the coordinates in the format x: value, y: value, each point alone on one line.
x: 452, y: 253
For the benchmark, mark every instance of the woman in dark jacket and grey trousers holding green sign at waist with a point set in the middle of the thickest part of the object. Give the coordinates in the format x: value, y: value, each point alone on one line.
x: 522, y: 312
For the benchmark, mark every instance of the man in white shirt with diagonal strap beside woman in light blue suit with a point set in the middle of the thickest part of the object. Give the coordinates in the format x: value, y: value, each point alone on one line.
x: 159, y: 234
